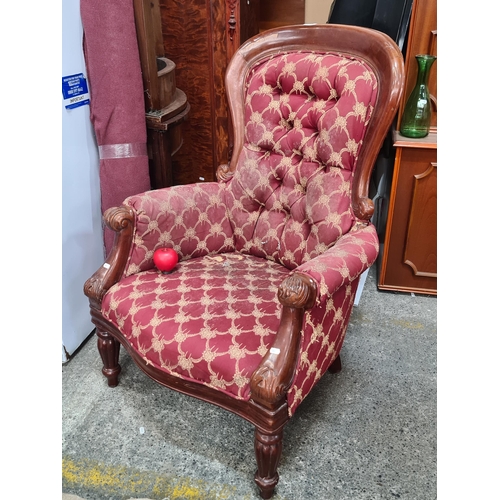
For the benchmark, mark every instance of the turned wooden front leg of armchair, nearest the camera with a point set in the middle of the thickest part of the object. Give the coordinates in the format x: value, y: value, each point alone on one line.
x: 268, y: 449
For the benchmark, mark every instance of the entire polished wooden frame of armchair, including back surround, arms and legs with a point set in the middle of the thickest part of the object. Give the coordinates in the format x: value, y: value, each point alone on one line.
x: 267, y: 408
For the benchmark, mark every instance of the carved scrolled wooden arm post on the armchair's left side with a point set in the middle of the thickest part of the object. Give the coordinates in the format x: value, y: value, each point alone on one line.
x: 121, y: 220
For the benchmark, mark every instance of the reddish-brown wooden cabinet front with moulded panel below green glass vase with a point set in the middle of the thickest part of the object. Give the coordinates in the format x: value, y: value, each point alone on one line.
x: 409, y: 257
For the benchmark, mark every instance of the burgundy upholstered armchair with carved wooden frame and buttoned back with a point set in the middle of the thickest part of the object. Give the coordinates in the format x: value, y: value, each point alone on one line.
x: 270, y: 255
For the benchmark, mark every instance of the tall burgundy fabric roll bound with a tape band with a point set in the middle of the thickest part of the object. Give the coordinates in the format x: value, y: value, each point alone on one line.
x: 117, y: 109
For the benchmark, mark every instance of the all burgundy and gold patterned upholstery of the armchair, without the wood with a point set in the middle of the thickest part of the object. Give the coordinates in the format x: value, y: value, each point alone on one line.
x: 287, y: 208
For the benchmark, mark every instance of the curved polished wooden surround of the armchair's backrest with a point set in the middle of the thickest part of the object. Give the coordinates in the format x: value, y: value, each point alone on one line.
x: 377, y: 49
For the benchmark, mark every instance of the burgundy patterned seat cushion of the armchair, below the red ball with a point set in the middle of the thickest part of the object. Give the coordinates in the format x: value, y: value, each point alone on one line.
x: 210, y: 321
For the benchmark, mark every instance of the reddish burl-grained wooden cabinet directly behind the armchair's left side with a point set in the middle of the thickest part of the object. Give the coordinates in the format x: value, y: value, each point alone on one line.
x: 201, y: 36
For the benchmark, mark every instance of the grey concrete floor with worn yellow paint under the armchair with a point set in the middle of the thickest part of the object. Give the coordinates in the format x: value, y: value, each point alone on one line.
x: 367, y: 433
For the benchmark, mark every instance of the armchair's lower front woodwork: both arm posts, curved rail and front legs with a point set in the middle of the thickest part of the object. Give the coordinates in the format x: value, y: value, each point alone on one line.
x: 267, y: 408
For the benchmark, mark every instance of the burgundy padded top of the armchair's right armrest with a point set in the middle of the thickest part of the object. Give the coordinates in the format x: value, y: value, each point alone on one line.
x: 352, y: 254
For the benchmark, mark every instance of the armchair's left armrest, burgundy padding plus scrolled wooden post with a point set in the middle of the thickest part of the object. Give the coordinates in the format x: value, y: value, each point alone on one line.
x: 180, y: 217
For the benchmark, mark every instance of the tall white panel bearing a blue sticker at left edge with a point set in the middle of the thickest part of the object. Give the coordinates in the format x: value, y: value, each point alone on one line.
x: 82, y: 242
